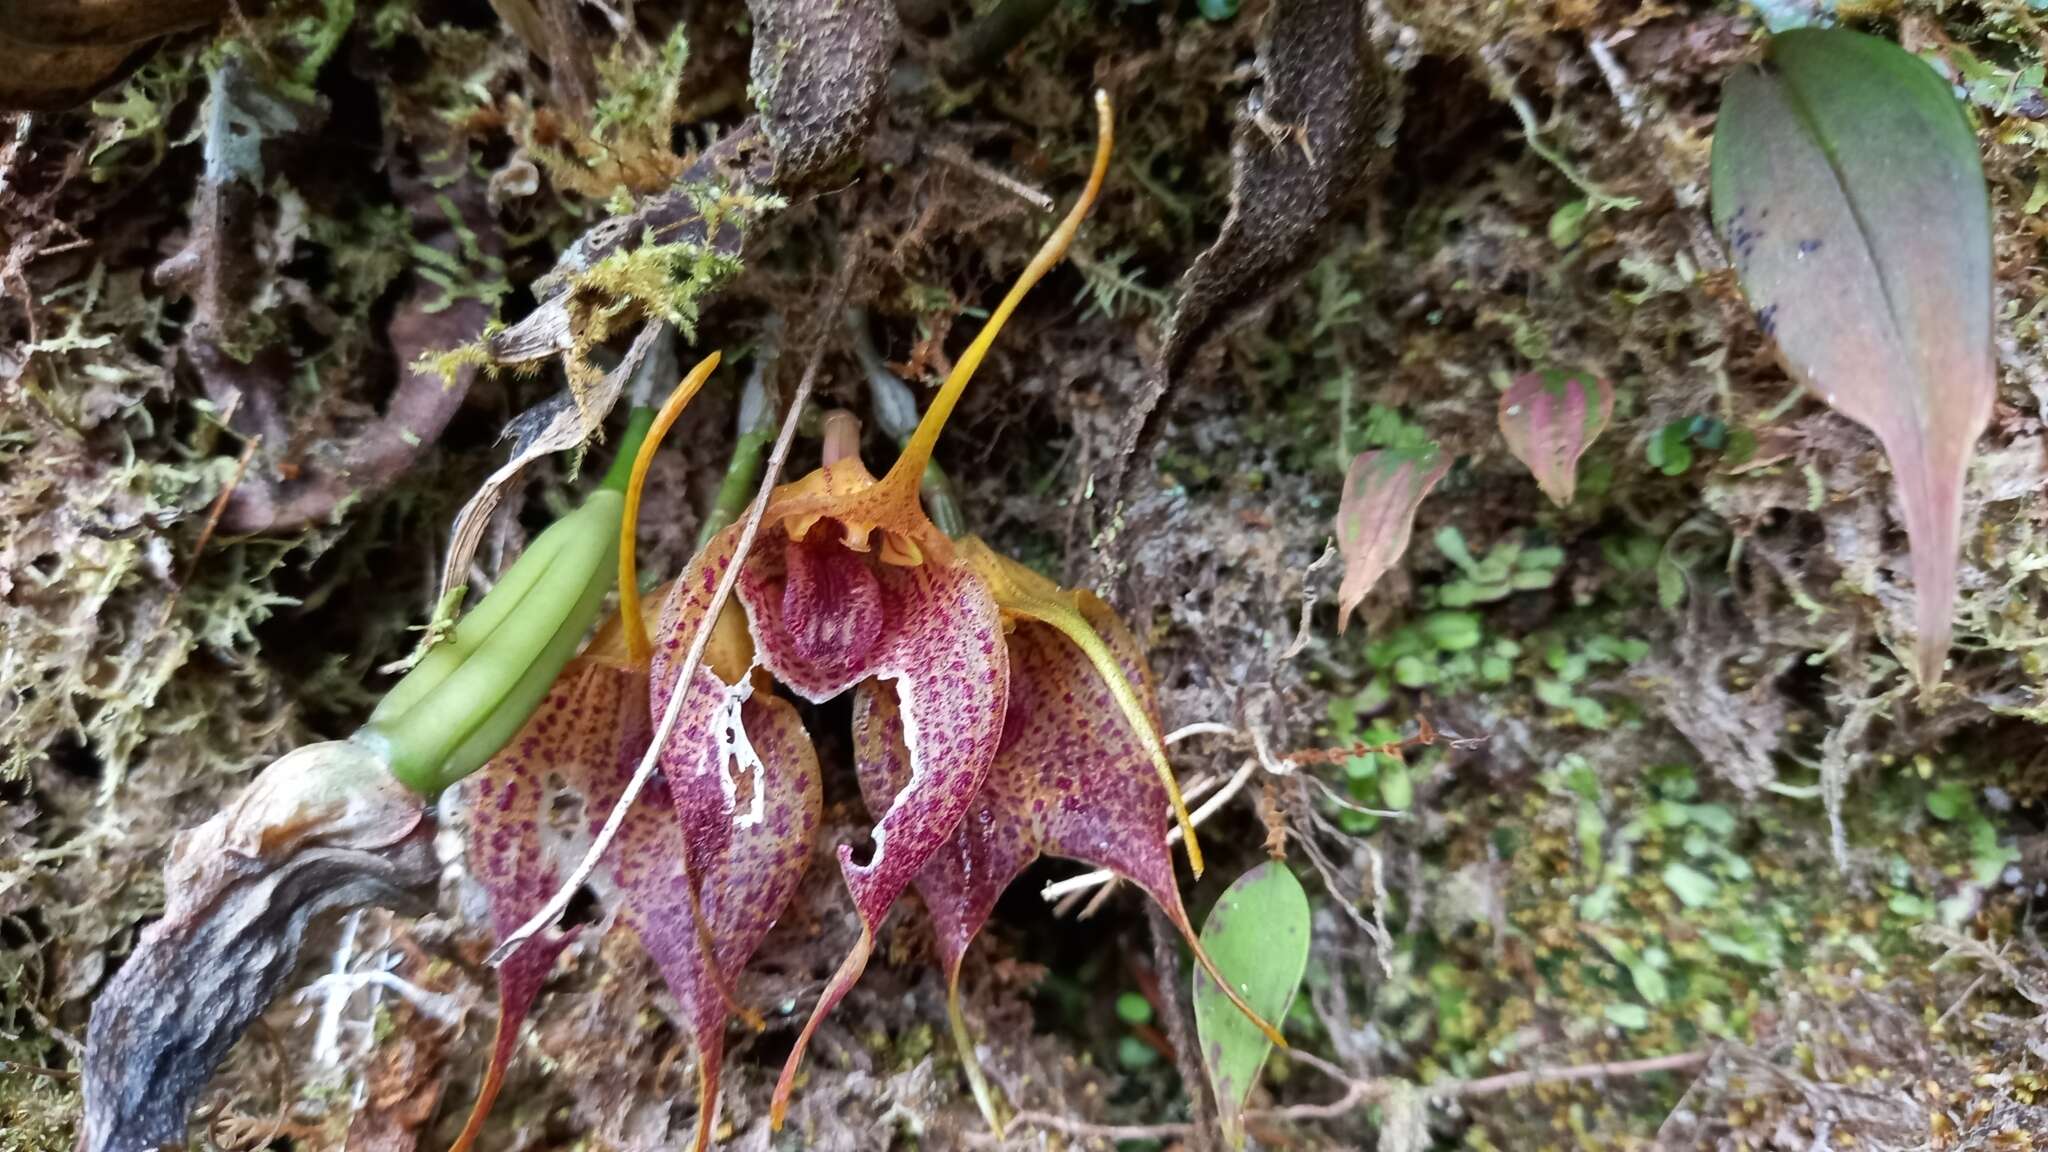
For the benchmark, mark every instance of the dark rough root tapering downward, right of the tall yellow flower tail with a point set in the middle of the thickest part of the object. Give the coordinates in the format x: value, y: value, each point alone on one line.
x: 1304, y: 149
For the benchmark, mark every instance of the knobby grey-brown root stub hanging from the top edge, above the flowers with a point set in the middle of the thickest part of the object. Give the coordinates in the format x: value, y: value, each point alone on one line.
x: 820, y: 69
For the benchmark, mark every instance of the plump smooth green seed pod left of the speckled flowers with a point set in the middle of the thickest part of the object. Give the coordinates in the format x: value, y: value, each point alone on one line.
x: 474, y: 692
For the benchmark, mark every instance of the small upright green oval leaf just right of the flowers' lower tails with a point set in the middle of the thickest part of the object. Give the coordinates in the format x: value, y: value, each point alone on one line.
x: 1258, y: 936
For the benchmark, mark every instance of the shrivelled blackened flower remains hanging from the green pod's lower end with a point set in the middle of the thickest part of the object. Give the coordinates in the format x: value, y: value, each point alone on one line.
x: 321, y: 831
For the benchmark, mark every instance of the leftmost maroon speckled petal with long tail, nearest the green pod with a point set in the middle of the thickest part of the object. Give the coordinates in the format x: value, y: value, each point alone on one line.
x: 577, y: 723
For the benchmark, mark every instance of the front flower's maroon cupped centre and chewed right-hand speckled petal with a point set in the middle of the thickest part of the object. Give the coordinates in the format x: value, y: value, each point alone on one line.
x: 941, y: 641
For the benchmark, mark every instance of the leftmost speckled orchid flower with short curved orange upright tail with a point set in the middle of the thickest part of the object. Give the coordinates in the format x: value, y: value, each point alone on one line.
x: 699, y: 903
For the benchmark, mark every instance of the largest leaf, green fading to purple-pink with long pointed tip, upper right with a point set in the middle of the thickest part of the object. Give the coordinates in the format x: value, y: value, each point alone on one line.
x: 1852, y: 198
